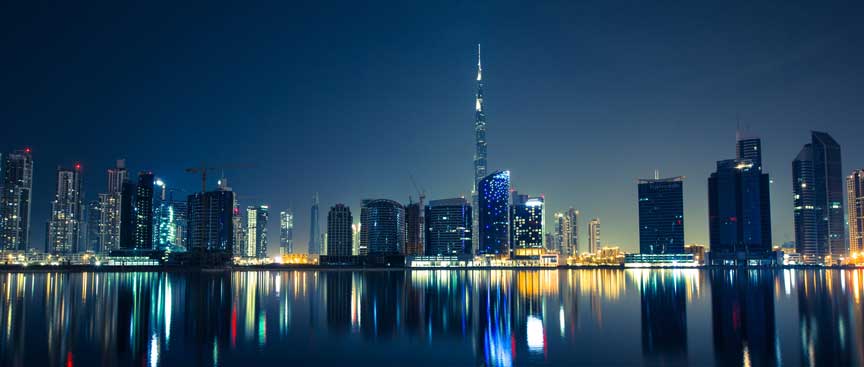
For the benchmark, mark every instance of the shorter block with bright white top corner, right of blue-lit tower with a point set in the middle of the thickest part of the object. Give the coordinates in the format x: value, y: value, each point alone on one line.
x: 526, y: 226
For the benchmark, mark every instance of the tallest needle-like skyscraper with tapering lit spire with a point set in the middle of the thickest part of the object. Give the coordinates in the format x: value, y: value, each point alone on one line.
x: 479, y: 150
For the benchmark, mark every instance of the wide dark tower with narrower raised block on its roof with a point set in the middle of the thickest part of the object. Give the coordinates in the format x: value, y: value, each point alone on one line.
x: 739, y: 208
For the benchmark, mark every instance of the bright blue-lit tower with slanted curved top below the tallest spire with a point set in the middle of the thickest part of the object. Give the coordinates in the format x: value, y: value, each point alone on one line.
x: 493, y: 197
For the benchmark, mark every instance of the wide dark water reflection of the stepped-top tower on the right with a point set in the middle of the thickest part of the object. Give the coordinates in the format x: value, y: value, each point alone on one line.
x: 742, y: 312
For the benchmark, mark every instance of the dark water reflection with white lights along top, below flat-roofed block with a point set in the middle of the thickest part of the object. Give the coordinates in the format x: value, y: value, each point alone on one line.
x: 664, y: 316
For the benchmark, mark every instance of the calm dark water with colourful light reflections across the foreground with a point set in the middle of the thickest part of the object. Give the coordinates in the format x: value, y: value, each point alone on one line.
x: 450, y: 318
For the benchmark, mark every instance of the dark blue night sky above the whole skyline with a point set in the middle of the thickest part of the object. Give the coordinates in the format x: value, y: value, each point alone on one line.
x: 350, y: 99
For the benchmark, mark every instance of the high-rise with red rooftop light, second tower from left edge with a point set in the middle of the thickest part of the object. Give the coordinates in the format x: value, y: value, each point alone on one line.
x: 66, y: 212
